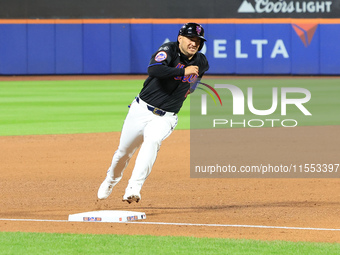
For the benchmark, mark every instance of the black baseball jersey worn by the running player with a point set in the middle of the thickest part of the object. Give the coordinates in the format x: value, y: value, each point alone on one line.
x: 167, y: 87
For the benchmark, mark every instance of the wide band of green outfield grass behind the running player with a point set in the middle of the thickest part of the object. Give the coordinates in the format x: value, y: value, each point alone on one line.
x: 68, y: 107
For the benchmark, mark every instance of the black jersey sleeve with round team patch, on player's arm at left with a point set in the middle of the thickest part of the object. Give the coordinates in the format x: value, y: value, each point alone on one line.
x: 159, y: 65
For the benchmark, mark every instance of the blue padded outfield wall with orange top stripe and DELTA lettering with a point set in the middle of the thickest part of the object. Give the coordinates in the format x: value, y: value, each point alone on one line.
x: 298, y: 47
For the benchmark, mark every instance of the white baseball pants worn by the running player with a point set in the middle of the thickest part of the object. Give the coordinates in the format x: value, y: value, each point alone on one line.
x: 141, y: 128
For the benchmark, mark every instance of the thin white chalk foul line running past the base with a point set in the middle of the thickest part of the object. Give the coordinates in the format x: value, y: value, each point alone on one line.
x: 189, y: 224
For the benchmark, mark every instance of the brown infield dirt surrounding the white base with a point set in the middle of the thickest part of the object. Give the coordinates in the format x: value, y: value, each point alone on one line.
x: 49, y: 177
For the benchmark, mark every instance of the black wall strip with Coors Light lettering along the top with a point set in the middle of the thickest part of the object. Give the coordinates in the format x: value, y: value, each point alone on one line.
x: 75, y: 9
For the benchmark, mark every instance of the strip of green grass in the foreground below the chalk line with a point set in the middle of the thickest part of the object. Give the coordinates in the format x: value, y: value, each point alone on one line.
x: 42, y: 243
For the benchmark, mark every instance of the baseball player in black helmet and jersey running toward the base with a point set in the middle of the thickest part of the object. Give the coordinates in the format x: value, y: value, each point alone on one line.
x: 173, y: 70
